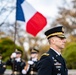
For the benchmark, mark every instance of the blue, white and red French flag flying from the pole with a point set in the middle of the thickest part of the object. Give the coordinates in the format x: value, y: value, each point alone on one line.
x: 34, y: 20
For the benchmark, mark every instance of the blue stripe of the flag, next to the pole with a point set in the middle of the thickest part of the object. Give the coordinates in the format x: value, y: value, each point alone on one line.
x: 19, y: 11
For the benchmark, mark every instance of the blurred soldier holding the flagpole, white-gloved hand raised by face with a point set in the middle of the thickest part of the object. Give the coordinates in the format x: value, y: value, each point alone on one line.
x: 17, y: 63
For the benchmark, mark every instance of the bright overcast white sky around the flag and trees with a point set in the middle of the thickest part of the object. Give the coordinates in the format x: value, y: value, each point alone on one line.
x: 49, y: 8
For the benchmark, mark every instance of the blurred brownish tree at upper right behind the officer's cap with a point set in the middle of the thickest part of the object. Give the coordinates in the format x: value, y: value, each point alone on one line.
x: 67, y: 17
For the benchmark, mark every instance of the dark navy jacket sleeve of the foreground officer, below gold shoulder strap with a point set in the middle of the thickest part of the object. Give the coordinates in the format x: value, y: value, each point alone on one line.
x: 45, y: 67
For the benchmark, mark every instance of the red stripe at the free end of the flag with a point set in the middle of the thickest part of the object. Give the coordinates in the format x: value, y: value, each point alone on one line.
x: 36, y: 24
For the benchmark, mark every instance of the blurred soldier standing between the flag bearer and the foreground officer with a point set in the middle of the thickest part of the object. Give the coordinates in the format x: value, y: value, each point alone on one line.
x: 30, y: 68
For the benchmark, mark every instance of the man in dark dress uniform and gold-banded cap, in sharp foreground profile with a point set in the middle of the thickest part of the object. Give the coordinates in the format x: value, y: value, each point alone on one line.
x: 51, y: 62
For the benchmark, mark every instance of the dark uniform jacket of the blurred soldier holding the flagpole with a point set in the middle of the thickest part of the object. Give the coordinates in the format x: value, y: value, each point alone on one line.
x: 16, y: 66
